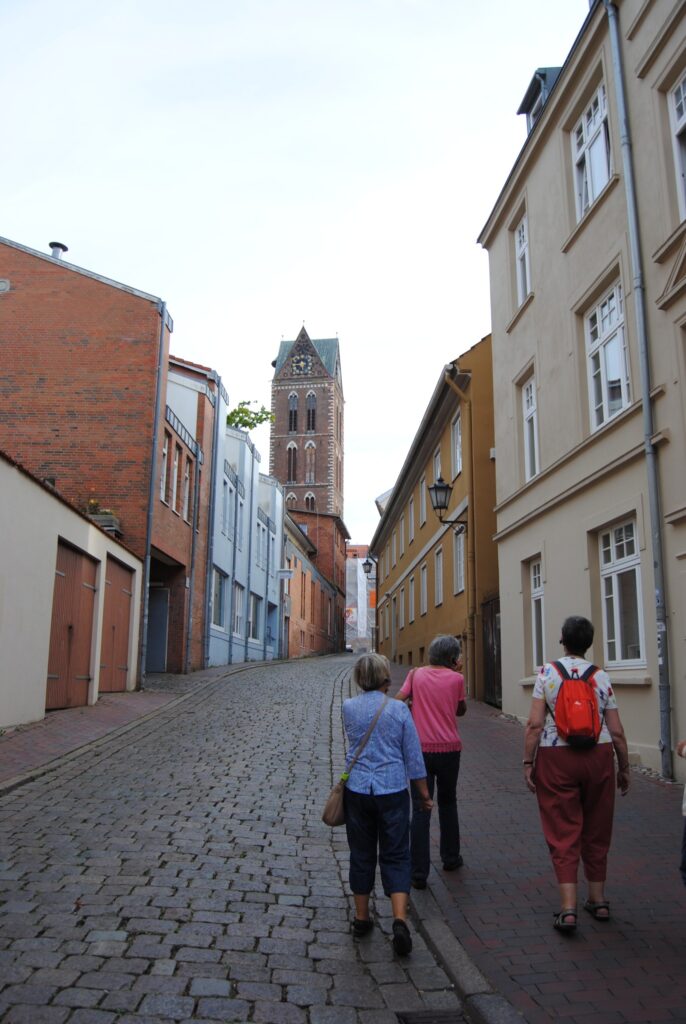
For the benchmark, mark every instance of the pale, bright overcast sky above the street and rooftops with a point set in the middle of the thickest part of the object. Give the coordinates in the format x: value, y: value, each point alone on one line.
x: 265, y: 164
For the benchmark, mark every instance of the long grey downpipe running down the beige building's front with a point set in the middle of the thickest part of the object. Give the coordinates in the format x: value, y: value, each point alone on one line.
x: 649, y: 429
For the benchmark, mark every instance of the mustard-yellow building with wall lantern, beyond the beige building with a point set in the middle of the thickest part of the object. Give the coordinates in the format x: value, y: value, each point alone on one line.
x: 438, y: 577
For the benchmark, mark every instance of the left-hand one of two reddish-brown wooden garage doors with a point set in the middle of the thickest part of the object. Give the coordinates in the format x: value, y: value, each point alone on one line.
x: 72, y: 630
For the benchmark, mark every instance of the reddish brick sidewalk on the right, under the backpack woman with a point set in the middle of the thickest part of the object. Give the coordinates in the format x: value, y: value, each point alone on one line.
x: 501, y: 905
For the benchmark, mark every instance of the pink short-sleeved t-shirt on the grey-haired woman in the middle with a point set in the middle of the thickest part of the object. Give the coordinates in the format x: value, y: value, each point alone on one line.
x: 436, y: 695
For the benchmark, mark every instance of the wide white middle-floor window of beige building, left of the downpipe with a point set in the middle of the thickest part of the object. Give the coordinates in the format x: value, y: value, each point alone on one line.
x: 608, y: 364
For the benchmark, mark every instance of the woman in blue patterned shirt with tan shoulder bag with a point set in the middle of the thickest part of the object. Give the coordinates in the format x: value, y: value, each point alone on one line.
x: 377, y: 799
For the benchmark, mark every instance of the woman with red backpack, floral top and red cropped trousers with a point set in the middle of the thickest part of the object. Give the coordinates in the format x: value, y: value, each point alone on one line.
x: 574, y: 727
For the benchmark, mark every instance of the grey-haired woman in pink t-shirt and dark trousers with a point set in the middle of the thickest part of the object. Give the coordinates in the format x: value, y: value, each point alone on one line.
x: 439, y: 699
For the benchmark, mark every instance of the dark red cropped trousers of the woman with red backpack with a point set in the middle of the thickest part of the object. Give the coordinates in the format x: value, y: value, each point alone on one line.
x: 576, y: 794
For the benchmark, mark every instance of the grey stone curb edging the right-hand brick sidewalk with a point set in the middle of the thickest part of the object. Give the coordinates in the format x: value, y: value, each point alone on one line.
x: 483, y: 1003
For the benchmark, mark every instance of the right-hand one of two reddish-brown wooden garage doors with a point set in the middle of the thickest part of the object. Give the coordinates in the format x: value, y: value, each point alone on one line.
x: 116, y: 628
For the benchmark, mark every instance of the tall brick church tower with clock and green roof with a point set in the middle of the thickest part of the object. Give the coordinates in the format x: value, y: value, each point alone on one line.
x: 307, y: 441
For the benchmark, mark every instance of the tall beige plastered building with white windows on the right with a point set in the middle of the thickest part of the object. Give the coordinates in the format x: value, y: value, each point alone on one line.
x: 588, y: 280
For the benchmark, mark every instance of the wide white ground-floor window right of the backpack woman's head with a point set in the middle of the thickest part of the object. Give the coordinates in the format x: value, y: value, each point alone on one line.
x: 620, y: 572
